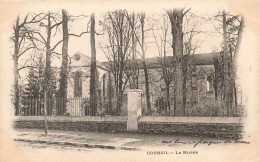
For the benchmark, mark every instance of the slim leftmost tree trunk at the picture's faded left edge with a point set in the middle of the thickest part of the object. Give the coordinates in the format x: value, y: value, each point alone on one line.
x: 15, y: 57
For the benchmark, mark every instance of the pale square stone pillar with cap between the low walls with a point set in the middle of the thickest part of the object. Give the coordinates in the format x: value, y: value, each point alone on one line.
x: 134, y: 106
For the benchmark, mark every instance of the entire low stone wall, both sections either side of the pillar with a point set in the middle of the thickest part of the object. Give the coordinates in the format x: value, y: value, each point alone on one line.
x: 219, y: 127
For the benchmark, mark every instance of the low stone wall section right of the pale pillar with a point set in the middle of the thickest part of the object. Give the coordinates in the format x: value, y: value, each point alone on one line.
x: 219, y: 127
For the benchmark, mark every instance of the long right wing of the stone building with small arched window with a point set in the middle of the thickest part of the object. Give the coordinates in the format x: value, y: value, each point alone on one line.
x: 199, y: 81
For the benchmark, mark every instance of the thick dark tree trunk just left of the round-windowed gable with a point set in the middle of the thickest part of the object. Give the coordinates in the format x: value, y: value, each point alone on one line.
x: 64, y: 66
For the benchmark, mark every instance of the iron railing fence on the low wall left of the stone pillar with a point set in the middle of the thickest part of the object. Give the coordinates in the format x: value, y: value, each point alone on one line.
x: 67, y: 107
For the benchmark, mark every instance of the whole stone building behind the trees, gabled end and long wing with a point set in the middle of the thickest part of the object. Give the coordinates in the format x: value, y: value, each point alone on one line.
x: 199, y: 86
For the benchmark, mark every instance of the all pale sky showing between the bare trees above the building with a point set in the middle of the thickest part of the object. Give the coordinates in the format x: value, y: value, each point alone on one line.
x: 208, y: 37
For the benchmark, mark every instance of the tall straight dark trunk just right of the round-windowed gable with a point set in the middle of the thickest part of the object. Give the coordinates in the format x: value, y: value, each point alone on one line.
x: 93, y: 101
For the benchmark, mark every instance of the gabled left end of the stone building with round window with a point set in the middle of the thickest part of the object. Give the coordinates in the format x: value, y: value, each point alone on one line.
x: 79, y: 83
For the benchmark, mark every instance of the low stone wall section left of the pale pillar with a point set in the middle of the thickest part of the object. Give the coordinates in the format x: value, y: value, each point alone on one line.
x: 104, y: 124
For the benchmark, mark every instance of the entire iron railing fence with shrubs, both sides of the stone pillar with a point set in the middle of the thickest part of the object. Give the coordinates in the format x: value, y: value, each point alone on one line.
x: 204, y: 106
